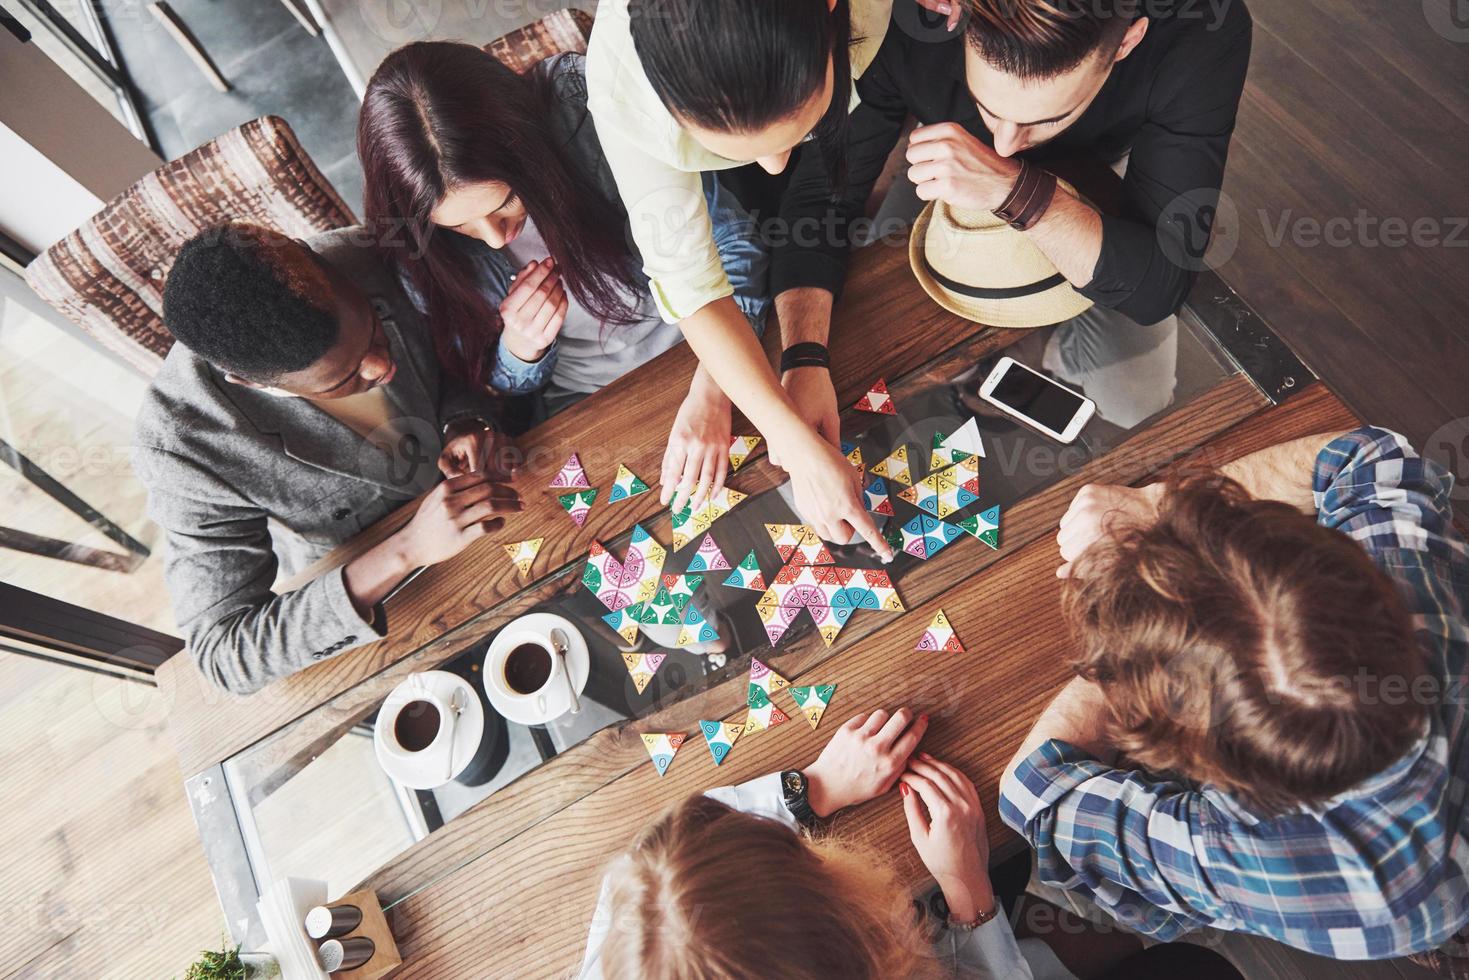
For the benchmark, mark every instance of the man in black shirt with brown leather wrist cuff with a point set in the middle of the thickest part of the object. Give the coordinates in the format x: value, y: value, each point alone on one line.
x: 1151, y: 82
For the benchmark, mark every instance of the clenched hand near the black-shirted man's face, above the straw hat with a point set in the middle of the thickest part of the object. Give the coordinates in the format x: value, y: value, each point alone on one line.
x: 948, y: 164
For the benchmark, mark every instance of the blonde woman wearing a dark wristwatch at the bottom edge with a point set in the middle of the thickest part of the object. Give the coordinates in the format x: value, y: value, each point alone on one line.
x: 726, y: 885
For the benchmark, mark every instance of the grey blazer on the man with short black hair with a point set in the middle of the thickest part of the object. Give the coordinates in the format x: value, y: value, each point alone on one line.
x: 249, y: 487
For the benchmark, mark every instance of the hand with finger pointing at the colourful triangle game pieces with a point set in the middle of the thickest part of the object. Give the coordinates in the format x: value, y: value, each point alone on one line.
x: 829, y: 493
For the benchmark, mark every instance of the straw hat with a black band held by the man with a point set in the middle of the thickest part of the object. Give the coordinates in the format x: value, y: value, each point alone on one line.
x: 981, y: 268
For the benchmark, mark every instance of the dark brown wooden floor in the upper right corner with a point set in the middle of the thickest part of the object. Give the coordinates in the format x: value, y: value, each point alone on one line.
x: 1360, y: 112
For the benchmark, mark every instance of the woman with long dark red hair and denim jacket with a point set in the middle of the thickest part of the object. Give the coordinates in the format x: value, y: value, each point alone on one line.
x: 490, y: 193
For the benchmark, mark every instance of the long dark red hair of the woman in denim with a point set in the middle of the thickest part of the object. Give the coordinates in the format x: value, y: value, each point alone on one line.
x: 441, y: 115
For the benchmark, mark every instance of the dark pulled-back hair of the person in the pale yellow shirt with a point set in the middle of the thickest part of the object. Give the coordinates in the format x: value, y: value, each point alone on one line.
x: 744, y: 65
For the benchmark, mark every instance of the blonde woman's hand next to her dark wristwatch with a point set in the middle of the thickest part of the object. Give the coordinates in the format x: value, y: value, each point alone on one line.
x: 863, y: 760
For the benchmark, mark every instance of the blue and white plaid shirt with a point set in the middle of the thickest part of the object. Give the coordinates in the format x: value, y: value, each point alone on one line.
x: 1379, y: 872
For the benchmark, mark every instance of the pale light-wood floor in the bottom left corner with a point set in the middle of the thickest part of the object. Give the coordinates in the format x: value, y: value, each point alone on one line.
x: 102, y: 871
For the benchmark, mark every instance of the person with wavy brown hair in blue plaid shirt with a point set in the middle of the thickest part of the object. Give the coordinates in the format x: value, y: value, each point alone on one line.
x: 1267, y: 732
